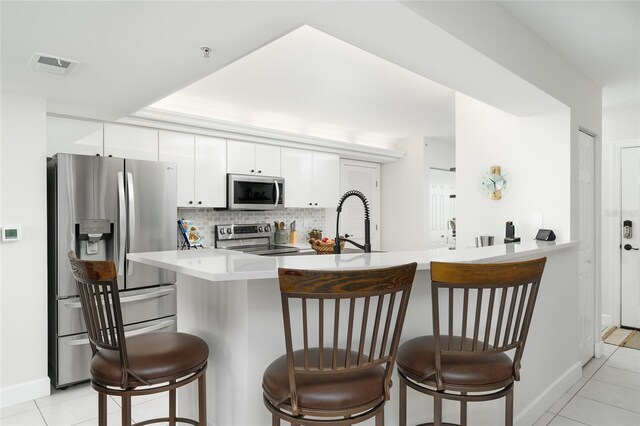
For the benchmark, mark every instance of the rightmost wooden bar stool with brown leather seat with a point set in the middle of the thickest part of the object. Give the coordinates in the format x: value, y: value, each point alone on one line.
x: 488, y: 309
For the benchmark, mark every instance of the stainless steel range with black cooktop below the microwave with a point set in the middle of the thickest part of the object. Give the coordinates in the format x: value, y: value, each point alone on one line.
x: 253, y: 238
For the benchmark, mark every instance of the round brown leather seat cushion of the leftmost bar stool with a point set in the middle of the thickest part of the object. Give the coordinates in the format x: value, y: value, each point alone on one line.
x: 152, y: 357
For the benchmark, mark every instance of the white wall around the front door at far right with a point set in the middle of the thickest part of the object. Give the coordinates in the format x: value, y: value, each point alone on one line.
x: 620, y: 127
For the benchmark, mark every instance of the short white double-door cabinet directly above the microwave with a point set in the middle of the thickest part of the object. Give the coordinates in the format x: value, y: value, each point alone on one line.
x: 249, y: 158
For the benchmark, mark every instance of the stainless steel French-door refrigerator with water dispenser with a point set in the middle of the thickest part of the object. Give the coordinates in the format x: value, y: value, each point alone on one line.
x: 104, y: 208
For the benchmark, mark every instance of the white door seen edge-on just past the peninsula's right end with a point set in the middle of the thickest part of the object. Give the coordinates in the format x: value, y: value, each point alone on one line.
x: 587, y: 249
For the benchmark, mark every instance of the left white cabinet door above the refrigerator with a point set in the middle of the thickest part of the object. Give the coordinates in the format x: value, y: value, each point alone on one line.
x: 69, y: 136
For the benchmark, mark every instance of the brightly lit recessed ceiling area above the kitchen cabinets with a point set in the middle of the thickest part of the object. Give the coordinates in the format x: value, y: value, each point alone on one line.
x: 311, y: 83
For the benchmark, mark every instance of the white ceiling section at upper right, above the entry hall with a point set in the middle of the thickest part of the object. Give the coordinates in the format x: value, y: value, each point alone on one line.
x: 602, y: 38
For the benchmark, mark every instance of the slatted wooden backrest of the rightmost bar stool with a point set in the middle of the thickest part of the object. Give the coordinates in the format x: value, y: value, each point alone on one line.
x: 496, y: 304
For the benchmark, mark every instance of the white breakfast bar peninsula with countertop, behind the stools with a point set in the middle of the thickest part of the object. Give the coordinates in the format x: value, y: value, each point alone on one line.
x: 232, y: 300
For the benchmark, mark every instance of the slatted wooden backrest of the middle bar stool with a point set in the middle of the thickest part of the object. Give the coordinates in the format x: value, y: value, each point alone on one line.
x: 354, y: 318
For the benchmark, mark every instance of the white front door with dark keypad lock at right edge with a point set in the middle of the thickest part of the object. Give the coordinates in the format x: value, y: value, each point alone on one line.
x: 630, y: 242
